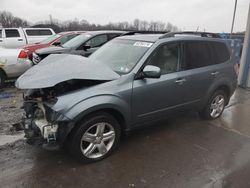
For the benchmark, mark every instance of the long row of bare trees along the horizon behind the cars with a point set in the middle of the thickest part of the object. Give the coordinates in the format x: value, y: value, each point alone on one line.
x: 8, y: 20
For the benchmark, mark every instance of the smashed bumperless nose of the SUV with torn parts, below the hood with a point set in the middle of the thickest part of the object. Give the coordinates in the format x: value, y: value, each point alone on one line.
x: 41, y: 124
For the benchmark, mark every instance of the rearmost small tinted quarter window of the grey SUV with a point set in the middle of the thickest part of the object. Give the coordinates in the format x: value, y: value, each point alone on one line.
x: 220, y: 52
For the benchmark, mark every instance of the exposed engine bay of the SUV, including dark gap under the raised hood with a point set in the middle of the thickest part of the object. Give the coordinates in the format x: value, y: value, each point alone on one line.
x: 41, y: 124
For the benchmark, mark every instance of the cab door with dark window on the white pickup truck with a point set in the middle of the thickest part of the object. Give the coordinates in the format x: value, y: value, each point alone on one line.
x: 13, y: 38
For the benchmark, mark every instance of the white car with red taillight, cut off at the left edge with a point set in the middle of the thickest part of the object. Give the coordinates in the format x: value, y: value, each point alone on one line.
x: 13, y: 63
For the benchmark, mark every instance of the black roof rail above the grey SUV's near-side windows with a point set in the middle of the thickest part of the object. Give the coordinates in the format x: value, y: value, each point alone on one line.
x: 201, y: 34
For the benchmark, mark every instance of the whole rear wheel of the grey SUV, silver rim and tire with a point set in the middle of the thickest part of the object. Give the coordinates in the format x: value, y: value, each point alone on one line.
x: 215, y: 105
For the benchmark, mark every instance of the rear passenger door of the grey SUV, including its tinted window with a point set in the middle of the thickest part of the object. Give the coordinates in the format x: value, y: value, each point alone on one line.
x: 197, y: 69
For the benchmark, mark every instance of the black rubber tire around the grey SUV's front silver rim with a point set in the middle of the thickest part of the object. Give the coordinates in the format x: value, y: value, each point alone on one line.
x: 75, y: 142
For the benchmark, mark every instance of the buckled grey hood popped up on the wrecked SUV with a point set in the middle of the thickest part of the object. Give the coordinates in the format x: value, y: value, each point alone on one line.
x: 58, y: 68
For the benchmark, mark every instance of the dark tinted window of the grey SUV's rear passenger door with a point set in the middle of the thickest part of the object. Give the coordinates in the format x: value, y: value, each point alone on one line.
x: 196, y: 54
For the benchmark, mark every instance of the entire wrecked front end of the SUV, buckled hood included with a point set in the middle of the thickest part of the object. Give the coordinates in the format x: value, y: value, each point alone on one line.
x: 57, y: 76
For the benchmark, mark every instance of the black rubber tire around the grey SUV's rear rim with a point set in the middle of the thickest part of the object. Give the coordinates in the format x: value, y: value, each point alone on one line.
x: 206, y: 112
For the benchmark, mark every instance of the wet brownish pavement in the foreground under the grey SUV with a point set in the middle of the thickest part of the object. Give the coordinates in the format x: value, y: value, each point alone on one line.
x: 184, y: 151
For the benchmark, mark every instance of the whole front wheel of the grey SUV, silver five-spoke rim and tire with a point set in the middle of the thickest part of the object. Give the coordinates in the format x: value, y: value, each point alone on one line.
x: 96, y: 138
